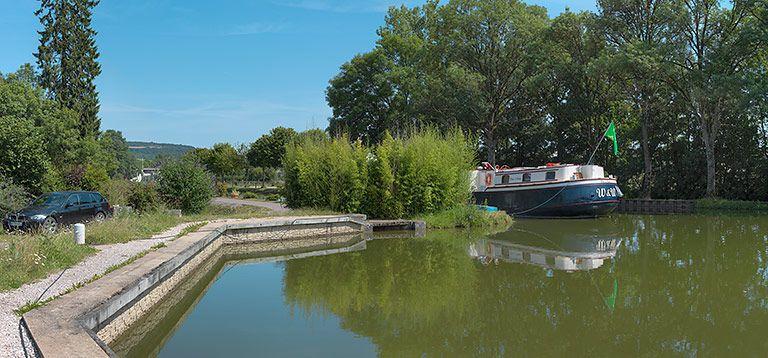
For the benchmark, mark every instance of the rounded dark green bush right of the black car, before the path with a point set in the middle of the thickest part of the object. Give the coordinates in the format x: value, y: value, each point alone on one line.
x: 185, y: 185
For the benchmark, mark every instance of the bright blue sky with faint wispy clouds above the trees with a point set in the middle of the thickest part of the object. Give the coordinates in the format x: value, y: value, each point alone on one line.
x: 200, y: 72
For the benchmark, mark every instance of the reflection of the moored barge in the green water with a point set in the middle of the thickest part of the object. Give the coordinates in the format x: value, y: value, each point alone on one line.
x: 570, y: 246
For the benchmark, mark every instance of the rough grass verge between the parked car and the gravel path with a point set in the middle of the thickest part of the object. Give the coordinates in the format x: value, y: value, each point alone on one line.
x: 31, y: 257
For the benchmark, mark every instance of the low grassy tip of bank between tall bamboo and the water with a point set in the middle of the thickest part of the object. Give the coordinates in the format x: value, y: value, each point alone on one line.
x: 466, y: 216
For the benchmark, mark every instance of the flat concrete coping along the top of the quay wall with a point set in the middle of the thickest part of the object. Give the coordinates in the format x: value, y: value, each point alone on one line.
x: 68, y: 326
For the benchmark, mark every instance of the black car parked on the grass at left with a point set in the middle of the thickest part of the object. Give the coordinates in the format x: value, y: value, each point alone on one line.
x: 51, y: 210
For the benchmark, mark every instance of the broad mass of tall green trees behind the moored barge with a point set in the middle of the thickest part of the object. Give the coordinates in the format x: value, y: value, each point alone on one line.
x: 684, y: 80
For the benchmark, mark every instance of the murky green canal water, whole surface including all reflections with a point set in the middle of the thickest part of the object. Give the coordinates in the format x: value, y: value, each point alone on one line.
x: 619, y: 286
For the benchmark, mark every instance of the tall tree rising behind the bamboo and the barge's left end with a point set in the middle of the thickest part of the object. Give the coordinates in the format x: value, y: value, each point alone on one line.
x: 494, y: 46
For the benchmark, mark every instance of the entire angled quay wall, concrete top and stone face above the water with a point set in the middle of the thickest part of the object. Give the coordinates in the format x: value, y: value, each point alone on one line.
x: 84, y: 322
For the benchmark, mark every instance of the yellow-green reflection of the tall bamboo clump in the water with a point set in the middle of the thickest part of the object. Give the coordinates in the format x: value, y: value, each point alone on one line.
x: 391, y: 288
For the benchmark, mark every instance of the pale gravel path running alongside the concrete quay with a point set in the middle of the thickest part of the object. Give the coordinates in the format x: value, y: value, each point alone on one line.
x: 108, y: 255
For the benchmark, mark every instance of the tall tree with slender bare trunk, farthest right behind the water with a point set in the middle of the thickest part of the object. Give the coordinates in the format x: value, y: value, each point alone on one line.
x: 716, y: 43
